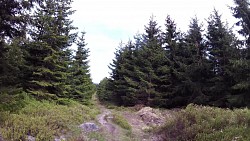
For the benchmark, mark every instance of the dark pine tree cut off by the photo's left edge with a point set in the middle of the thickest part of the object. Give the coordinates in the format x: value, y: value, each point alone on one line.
x: 12, y: 32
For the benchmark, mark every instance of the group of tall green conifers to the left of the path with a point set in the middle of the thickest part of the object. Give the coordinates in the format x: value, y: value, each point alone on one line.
x: 36, y: 55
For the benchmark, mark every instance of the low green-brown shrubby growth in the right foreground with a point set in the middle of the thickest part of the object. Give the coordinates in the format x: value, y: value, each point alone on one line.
x: 202, y: 123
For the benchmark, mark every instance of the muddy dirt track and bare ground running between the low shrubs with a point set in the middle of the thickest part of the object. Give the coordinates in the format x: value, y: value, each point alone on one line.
x: 141, y: 120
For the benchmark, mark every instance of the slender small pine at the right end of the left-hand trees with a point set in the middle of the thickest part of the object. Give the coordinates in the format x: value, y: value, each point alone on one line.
x: 82, y: 86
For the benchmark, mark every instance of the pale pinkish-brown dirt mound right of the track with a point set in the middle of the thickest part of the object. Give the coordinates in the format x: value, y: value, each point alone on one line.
x: 151, y: 117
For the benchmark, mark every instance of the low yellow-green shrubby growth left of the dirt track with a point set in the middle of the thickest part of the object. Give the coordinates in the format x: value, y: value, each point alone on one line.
x: 44, y: 120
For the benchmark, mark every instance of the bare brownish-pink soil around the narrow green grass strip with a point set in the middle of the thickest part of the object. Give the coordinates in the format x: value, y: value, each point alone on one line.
x: 143, y: 122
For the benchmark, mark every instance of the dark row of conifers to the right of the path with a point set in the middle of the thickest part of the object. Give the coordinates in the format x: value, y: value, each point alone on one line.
x: 169, y: 68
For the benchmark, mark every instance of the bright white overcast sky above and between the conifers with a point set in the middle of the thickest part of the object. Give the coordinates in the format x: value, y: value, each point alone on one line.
x: 107, y: 23
